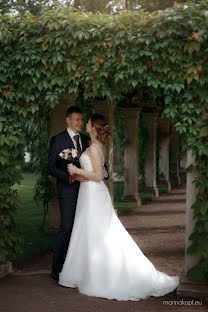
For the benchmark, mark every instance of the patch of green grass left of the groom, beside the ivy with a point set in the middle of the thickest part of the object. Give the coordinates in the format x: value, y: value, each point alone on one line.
x: 29, y: 221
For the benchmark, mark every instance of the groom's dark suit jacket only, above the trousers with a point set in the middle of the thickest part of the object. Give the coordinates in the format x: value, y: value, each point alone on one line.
x: 57, y: 167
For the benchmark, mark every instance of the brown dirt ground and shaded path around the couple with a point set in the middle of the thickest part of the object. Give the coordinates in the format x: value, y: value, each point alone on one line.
x: 159, y: 230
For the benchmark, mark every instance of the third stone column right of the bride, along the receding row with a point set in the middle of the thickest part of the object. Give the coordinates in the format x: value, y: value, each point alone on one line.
x: 164, y: 152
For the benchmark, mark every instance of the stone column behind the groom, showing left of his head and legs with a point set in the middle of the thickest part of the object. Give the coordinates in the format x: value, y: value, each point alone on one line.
x: 58, y: 124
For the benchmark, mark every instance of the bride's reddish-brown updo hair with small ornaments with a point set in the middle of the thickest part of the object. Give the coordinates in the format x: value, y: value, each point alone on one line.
x: 99, y: 122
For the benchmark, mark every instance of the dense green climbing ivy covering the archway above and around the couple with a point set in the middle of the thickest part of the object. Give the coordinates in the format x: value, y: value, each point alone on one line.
x: 155, y: 60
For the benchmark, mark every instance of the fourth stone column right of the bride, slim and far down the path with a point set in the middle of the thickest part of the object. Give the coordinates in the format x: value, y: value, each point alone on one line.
x: 174, y: 156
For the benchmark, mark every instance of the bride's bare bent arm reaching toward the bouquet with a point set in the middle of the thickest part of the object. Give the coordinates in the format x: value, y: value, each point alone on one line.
x: 97, y: 173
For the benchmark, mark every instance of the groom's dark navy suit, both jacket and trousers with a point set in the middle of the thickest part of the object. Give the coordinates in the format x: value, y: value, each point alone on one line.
x: 67, y: 194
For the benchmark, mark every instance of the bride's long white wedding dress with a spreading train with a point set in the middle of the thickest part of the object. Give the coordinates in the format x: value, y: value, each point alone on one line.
x: 103, y: 260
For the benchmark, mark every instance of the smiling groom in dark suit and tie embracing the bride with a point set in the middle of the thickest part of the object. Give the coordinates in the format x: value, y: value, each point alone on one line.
x: 67, y: 193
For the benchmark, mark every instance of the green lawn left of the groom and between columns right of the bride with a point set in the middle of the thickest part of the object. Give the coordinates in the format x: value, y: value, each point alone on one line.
x: 29, y: 218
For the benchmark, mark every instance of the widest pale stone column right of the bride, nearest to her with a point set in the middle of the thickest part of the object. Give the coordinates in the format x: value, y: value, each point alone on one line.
x: 131, y: 116
